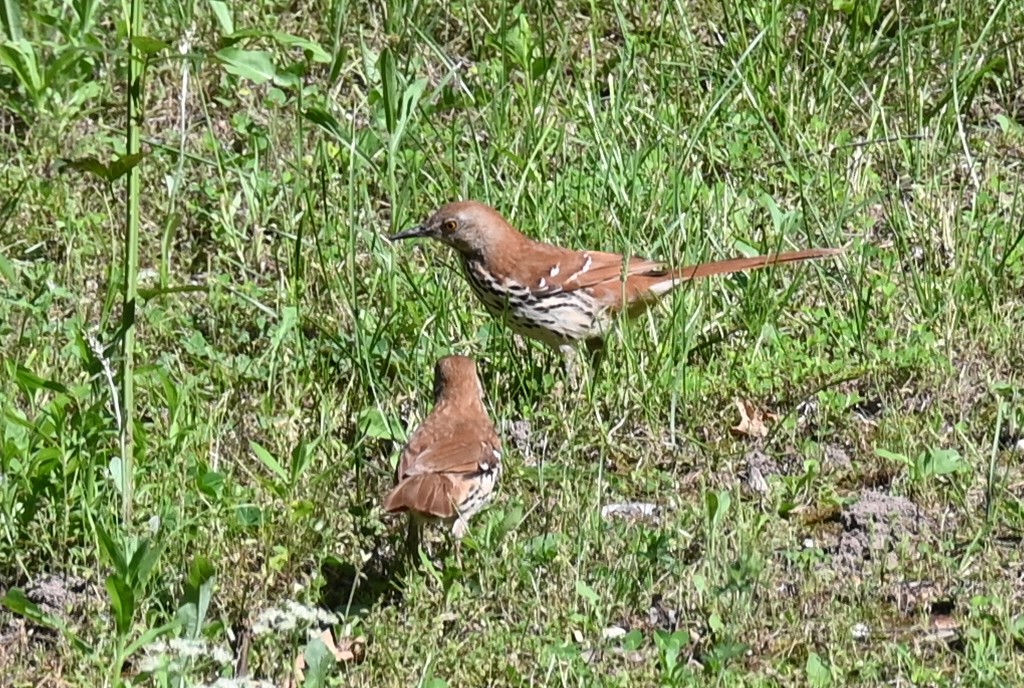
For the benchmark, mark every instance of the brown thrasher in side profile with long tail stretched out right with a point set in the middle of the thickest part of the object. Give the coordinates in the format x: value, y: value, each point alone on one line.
x: 561, y: 296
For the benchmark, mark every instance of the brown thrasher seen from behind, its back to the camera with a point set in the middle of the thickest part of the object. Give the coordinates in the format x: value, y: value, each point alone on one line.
x: 452, y: 463
